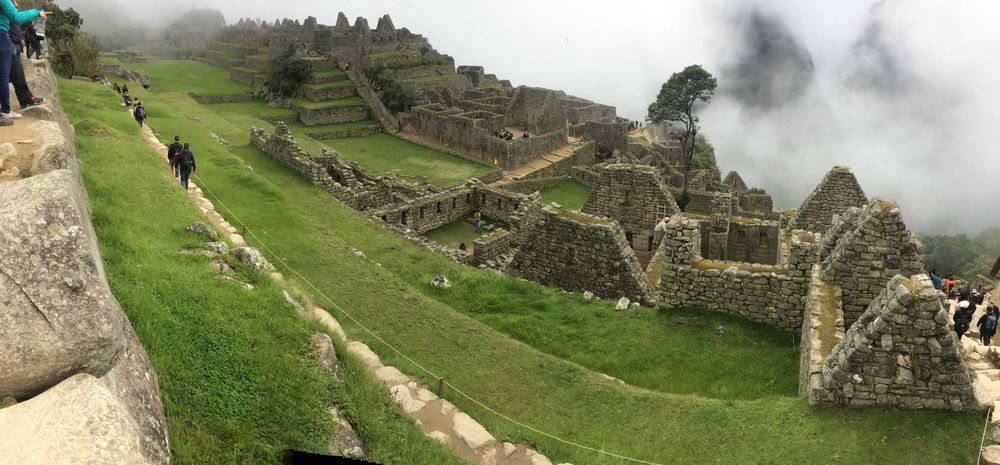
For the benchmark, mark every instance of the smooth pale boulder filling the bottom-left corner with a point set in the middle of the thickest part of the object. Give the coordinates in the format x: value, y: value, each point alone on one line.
x: 77, y: 422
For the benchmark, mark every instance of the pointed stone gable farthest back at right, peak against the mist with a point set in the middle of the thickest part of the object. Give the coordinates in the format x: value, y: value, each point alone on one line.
x: 838, y: 191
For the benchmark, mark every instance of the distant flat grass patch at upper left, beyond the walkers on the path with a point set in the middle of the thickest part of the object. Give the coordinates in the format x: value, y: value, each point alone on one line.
x: 190, y: 77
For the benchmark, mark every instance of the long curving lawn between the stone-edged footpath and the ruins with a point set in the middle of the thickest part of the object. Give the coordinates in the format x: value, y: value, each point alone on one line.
x: 534, y: 353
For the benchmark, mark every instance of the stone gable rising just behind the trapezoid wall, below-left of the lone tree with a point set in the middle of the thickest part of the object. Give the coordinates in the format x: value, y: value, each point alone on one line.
x: 637, y: 198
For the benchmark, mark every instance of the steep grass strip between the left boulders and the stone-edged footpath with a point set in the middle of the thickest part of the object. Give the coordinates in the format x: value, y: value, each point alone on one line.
x: 237, y: 377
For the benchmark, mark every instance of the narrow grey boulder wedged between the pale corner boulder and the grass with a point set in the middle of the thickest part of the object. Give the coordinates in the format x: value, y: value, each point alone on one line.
x: 136, y: 385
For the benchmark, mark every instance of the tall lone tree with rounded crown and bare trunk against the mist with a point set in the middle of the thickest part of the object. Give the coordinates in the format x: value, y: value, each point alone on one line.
x: 675, y: 104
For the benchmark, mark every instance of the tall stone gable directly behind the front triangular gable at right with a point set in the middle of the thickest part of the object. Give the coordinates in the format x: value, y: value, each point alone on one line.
x: 876, y: 248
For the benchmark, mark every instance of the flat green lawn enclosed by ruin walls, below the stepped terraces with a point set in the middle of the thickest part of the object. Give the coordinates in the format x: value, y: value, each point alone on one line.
x: 381, y: 153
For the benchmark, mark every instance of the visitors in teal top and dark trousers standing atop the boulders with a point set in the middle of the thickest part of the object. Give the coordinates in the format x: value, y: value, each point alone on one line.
x: 17, y: 32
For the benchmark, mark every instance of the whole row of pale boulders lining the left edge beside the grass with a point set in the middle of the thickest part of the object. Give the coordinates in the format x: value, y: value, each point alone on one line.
x: 86, y: 391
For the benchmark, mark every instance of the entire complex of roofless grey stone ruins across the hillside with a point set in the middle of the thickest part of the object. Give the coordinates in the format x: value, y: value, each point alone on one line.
x: 834, y: 270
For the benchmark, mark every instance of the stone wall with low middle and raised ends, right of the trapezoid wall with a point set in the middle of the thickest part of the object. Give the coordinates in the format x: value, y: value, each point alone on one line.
x: 772, y: 295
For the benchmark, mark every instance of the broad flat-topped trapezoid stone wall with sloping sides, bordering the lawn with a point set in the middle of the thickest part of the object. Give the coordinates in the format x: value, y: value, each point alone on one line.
x: 579, y: 252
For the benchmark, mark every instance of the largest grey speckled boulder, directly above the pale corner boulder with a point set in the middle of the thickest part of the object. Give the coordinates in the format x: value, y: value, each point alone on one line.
x: 58, y: 316
